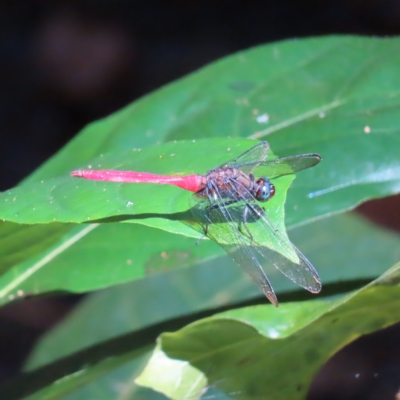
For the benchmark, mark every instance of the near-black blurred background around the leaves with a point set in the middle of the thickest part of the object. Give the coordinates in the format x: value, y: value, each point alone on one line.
x: 64, y: 65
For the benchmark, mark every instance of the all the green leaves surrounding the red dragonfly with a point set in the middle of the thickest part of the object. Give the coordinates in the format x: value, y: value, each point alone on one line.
x: 336, y: 96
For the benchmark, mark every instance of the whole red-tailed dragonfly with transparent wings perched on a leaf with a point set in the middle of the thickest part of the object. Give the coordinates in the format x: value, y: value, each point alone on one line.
x: 226, y: 206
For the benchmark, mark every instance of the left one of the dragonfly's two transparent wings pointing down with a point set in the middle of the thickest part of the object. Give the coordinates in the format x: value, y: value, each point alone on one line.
x: 221, y: 224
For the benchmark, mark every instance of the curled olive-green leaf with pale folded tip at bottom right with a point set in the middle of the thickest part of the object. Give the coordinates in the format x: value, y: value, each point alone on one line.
x: 246, y: 351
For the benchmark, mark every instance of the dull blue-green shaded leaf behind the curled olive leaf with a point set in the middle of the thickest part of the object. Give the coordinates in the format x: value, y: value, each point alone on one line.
x: 129, y: 308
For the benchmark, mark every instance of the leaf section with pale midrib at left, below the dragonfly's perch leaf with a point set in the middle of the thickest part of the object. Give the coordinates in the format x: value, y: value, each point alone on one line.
x: 87, y: 259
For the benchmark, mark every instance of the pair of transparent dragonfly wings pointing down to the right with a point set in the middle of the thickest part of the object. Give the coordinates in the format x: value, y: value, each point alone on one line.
x: 227, y: 229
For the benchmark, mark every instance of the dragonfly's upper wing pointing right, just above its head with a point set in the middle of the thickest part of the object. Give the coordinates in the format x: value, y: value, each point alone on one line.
x: 288, y: 165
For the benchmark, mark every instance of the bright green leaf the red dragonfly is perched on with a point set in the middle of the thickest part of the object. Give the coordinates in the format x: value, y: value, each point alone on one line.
x: 69, y: 199
